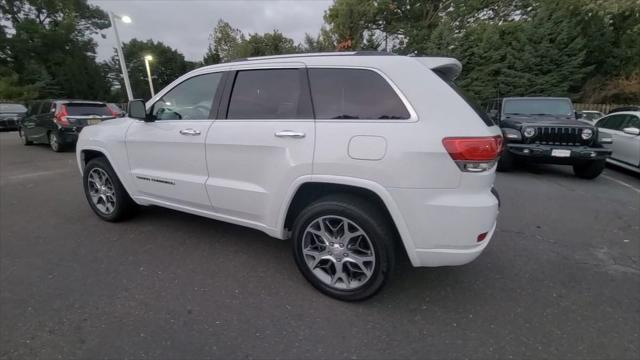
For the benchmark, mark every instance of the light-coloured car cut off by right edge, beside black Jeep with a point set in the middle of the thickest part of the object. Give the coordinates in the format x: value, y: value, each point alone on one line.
x: 624, y: 128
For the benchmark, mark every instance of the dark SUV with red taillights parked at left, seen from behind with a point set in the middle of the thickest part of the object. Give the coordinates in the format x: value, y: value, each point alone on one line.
x: 58, y: 122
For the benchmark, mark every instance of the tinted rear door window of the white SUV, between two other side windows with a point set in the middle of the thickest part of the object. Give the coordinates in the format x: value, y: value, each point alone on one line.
x: 269, y: 94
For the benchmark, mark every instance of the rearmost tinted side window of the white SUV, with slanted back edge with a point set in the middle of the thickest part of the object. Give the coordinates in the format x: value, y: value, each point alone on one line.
x: 354, y: 94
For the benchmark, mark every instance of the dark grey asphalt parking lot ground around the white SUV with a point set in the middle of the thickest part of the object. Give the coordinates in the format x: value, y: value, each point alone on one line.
x: 561, y: 279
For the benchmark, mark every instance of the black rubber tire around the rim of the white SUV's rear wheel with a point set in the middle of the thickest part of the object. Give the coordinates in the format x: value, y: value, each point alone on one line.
x: 371, y: 220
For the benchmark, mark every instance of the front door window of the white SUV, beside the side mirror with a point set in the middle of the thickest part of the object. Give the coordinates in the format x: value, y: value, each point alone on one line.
x: 190, y: 100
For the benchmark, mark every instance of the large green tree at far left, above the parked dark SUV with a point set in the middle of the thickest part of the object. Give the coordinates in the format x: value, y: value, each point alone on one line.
x: 49, y: 48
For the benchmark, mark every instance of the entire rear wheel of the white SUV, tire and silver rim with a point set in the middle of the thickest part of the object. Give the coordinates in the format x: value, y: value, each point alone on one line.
x: 343, y: 245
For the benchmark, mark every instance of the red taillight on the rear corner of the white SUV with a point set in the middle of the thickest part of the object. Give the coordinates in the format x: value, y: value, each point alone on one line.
x: 473, y: 148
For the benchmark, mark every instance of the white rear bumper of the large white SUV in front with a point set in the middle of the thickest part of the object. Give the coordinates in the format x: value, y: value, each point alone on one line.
x: 444, y: 225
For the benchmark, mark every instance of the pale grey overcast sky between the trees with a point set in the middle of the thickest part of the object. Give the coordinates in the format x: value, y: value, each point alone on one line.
x: 186, y: 24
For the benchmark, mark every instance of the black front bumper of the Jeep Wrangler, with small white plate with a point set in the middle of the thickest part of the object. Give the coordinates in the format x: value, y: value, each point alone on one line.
x: 543, y: 152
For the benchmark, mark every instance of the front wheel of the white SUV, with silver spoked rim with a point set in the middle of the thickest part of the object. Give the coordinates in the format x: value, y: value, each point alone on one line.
x: 105, y: 193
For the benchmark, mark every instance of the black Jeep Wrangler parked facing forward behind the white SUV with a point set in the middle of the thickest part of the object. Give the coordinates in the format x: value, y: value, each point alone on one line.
x: 546, y: 130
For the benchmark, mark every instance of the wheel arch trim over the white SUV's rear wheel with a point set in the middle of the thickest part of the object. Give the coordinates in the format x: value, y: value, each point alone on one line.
x: 311, y: 188
